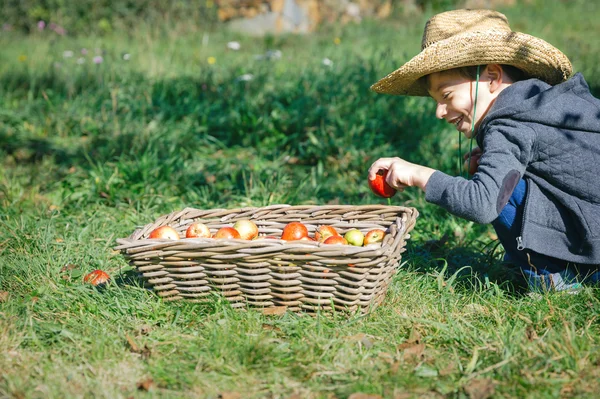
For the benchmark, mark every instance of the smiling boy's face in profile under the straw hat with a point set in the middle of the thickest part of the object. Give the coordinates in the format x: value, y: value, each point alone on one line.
x: 455, y: 97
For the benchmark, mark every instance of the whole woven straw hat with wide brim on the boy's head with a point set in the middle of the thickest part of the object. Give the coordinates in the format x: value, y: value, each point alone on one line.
x: 461, y: 38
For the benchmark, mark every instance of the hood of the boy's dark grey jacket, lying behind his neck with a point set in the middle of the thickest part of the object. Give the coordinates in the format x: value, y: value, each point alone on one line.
x: 535, y: 101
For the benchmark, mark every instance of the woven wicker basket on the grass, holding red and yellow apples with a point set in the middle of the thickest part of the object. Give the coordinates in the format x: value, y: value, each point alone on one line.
x: 300, y: 275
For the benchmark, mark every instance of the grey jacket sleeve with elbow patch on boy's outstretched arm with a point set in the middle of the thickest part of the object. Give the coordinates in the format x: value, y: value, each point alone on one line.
x: 507, y: 150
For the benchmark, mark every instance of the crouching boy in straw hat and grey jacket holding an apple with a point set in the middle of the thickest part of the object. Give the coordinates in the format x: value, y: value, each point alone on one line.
x: 538, y: 135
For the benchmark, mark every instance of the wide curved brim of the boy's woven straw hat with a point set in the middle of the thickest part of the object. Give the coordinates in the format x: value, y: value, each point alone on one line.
x: 532, y: 55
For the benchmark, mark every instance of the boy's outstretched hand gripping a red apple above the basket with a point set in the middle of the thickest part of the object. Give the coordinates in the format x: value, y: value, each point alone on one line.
x: 401, y: 174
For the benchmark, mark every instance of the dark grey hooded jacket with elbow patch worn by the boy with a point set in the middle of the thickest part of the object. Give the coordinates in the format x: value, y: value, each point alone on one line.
x: 550, y: 136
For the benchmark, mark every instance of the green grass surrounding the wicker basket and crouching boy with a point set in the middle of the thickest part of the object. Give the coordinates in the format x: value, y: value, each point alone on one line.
x: 89, y: 152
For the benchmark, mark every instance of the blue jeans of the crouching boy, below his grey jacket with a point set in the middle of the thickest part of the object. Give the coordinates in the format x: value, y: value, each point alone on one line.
x: 541, y: 272
